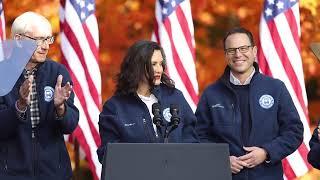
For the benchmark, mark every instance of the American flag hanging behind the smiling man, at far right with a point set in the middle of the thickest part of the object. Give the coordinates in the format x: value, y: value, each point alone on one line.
x: 279, y: 56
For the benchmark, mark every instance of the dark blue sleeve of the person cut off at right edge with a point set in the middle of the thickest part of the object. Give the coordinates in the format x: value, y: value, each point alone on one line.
x: 314, y: 153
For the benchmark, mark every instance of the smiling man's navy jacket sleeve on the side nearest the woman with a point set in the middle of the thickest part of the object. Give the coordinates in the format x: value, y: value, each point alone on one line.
x: 203, y: 119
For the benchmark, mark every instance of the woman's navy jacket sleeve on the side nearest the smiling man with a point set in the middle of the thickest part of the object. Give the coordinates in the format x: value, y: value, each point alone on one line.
x: 189, y: 134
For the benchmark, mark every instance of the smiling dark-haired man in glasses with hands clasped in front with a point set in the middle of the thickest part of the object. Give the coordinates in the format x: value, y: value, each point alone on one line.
x: 251, y: 112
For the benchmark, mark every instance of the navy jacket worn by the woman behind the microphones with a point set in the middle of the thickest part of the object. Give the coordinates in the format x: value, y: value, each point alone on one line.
x: 127, y: 119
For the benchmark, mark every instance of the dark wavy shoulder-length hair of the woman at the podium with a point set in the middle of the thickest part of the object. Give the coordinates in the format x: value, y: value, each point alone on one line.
x: 137, y: 65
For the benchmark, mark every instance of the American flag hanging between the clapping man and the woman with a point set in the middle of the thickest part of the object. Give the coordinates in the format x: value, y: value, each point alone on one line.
x: 80, y: 51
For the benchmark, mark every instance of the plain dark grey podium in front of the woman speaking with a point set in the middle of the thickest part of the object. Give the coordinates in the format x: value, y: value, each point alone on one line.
x: 170, y: 161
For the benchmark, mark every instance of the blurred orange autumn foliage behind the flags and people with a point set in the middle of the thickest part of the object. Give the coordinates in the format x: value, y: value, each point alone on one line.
x: 122, y: 22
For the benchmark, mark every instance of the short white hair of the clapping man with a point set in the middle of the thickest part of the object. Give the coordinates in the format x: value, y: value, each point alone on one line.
x: 24, y: 23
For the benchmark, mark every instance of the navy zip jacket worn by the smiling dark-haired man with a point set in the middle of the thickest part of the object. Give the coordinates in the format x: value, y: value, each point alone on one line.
x: 276, y: 125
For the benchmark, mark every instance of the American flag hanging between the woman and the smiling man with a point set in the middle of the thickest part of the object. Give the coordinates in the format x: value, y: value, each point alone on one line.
x: 175, y: 33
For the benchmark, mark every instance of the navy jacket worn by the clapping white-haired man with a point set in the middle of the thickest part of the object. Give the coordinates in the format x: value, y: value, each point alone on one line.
x: 45, y: 156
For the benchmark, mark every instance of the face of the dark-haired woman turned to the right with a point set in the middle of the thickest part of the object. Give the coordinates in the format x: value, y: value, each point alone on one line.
x: 157, y: 66
